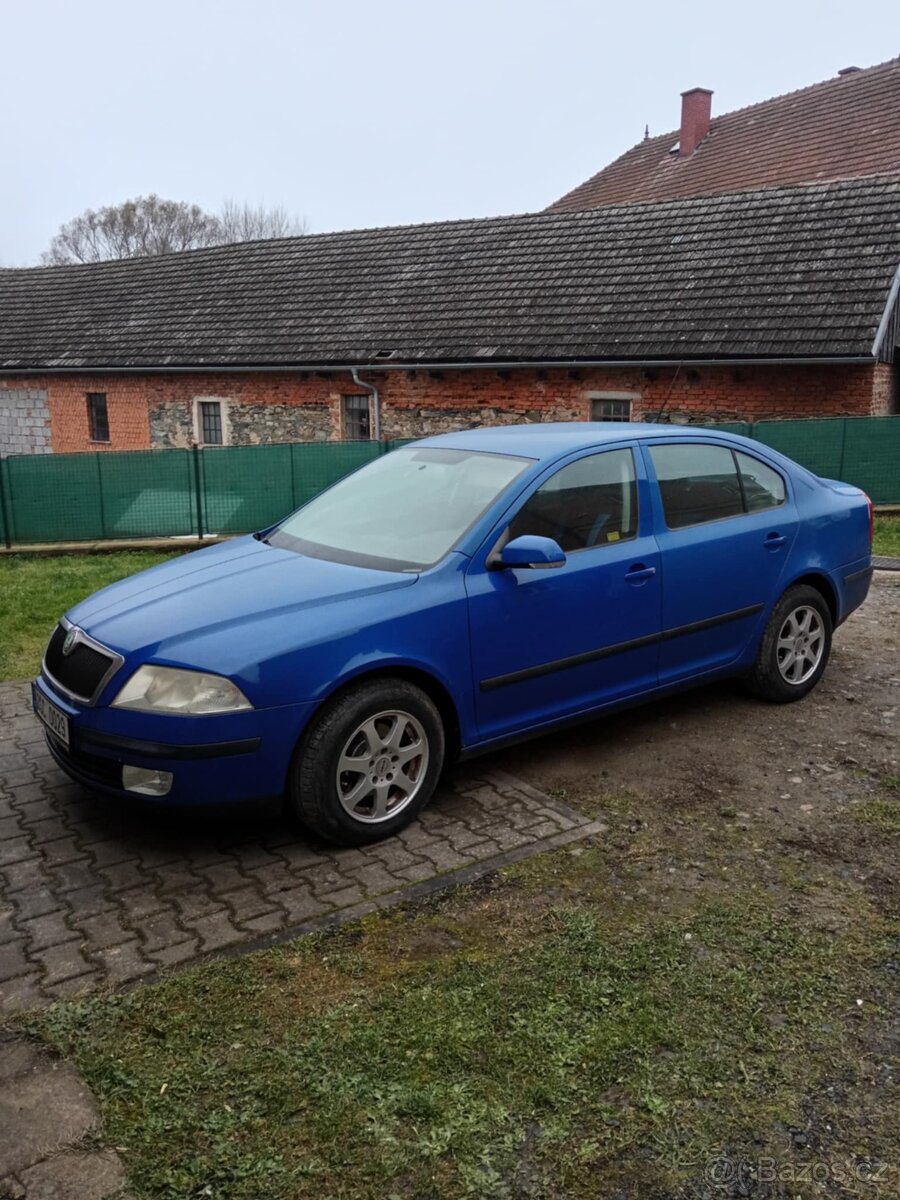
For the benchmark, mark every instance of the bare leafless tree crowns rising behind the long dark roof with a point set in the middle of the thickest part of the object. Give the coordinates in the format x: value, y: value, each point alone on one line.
x: 152, y: 226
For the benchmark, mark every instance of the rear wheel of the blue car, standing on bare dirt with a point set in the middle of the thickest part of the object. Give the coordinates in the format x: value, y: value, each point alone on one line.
x: 795, y: 649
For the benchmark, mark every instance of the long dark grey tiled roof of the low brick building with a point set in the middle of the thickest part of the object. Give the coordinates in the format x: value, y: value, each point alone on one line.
x: 802, y: 273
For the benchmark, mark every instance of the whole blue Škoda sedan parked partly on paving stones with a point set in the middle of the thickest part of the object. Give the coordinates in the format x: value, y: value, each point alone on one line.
x: 459, y: 593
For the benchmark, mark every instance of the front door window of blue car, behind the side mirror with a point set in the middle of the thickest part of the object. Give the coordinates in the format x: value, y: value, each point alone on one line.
x: 592, y: 502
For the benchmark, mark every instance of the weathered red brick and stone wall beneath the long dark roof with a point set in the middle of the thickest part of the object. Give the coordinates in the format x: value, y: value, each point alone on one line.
x: 157, y: 411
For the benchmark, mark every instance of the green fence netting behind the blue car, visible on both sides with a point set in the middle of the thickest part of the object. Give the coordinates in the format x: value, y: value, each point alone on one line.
x: 160, y: 494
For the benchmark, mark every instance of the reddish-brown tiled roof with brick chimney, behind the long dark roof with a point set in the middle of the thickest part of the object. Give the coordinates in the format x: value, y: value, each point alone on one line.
x: 843, y: 129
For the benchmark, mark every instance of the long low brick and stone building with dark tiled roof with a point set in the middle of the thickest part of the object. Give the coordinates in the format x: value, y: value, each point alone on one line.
x: 781, y: 302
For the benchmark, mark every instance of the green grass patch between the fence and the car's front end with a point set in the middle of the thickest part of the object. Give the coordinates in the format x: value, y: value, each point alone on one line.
x: 35, y: 591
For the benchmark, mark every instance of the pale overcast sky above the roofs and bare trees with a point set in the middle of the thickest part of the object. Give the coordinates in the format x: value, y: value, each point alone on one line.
x: 356, y: 115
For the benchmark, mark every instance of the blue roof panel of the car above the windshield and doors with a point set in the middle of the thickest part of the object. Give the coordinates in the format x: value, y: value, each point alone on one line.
x: 549, y: 441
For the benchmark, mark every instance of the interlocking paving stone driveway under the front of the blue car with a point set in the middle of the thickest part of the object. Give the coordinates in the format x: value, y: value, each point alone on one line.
x: 94, y: 895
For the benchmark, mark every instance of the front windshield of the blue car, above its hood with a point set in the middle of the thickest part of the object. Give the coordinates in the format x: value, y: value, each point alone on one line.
x: 404, y: 512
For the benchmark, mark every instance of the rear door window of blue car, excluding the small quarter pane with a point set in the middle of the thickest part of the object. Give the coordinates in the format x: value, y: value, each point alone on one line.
x: 698, y: 484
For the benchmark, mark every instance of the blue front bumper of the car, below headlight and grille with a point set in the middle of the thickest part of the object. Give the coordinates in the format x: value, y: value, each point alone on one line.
x: 214, y: 760
